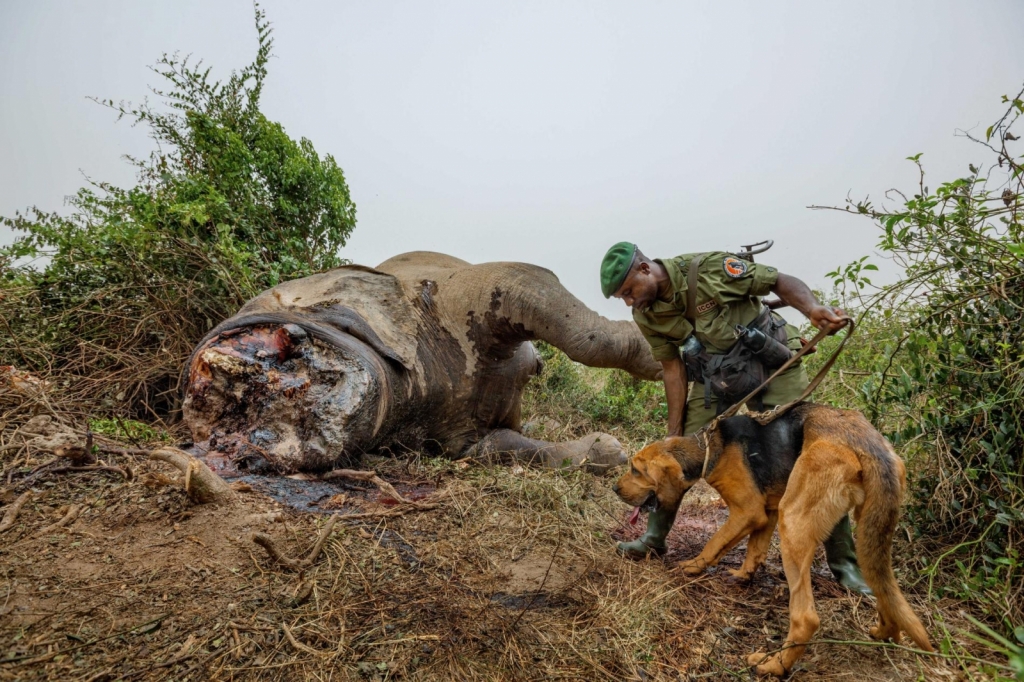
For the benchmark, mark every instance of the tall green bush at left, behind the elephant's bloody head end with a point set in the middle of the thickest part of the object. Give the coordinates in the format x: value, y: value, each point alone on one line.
x: 113, y: 297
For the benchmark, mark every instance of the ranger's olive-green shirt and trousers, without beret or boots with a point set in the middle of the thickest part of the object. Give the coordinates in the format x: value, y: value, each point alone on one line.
x: 730, y: 292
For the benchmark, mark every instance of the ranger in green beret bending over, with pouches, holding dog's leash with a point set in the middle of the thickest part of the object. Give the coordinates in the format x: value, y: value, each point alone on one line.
x: 722, y: 346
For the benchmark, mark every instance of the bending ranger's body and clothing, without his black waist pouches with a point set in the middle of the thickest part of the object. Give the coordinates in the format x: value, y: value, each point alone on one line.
x: 730, y: 292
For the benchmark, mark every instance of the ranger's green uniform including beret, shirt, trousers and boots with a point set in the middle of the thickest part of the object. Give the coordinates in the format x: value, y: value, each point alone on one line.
x: 730, y: 292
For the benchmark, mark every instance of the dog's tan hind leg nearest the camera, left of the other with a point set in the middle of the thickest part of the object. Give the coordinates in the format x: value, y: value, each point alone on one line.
x: 817, y: 497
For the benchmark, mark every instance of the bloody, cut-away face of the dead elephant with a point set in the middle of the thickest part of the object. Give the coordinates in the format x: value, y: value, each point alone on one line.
x: 273, y: 398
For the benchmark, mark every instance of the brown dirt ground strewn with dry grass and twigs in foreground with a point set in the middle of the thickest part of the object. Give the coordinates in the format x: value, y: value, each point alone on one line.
x: 497, y: 573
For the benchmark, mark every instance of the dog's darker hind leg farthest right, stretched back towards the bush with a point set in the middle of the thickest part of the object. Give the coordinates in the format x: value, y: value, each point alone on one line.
x: 885, y: 479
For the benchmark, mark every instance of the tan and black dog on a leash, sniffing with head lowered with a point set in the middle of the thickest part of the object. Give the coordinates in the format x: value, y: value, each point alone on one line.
x: 804, y: 472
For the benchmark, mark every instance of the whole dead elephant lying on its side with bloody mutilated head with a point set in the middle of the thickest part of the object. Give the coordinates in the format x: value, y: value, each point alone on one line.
x: 424, y: 353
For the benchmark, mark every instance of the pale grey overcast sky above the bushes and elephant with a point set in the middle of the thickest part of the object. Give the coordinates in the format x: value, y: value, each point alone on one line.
x: 545, y: 132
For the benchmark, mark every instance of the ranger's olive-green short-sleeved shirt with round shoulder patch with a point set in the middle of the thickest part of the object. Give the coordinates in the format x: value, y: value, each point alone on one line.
x: 730, y: 292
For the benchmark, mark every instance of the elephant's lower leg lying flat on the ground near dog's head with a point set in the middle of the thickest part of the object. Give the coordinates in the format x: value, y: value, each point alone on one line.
x: 596, y: 452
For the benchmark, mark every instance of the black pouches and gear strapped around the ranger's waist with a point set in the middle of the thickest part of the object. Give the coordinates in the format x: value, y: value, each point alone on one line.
x: 760, y: 349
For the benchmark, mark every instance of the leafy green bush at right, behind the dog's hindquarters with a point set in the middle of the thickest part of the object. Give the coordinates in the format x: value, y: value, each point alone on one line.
x: 949, y: 380
